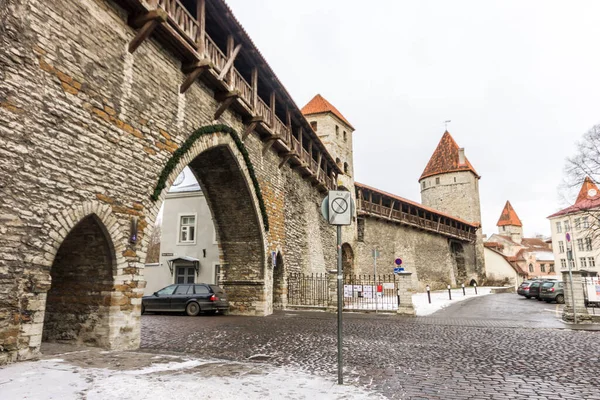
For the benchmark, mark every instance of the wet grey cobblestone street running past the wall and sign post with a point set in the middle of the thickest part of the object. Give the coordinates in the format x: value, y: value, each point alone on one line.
x: 449, y: 355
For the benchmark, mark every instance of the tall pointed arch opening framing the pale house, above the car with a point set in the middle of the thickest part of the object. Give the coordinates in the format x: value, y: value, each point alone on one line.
x: 213, y: 234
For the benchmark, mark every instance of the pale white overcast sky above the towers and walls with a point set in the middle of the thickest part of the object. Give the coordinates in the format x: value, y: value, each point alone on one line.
x: 520, y: 81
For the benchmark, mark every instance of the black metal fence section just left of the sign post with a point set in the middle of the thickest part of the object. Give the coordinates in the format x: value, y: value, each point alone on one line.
x: 308, y: 289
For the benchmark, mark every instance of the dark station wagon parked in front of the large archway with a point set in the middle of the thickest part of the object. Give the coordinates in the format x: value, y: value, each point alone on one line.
x: 189, y: 298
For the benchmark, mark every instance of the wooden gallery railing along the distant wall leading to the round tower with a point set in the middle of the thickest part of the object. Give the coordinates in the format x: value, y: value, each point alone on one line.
x: 414, y: 220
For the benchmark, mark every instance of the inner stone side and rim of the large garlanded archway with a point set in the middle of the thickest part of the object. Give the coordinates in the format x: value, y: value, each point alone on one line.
x: 232, y: 194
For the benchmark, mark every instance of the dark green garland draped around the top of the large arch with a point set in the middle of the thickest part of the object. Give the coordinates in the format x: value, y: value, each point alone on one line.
x: 181, y: 151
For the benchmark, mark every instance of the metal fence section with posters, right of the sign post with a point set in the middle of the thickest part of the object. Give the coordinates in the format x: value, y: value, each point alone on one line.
x: 367, y: 292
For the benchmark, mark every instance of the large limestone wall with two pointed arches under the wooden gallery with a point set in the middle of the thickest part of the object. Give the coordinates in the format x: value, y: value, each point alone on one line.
x: 85, y: 130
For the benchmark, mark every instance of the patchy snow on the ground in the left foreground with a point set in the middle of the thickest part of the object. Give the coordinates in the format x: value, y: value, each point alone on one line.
x: 188, y: 378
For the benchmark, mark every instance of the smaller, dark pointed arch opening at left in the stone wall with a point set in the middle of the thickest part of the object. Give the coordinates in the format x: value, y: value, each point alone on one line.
x: 79, y: 299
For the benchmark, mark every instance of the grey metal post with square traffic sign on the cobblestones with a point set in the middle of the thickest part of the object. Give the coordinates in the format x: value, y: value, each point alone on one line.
x: 338, y: 208
